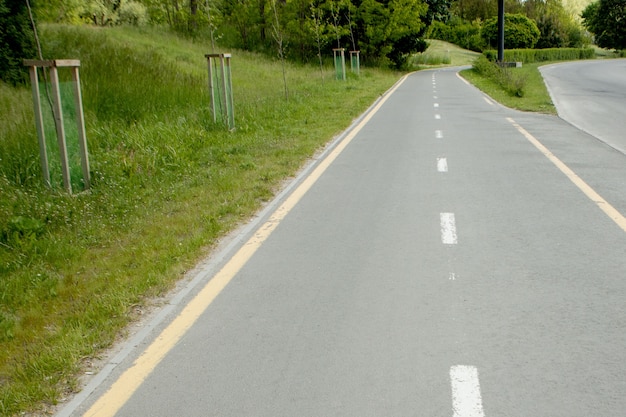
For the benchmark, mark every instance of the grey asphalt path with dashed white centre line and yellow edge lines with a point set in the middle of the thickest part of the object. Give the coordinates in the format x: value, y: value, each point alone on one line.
x: 445, y: 257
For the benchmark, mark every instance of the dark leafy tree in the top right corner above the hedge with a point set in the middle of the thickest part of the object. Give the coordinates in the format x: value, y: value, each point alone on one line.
x: 606, y: 19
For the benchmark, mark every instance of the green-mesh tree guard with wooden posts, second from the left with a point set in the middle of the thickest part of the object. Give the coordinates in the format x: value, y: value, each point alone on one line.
x: 221, y: 89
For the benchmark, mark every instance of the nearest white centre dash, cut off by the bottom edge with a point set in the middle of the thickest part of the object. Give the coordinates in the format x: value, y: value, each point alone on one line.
x: 466, y: 398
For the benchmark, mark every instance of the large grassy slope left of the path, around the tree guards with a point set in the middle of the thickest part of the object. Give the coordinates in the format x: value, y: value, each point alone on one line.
x: 166, y: 185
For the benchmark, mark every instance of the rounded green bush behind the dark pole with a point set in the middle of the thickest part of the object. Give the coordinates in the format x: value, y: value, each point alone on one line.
x: 519, y: 31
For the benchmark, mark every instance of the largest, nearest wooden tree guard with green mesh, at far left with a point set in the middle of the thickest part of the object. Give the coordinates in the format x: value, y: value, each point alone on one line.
x: 57, y: 115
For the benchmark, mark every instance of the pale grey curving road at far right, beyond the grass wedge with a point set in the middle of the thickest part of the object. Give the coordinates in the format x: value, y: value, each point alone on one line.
x: 591, y: 95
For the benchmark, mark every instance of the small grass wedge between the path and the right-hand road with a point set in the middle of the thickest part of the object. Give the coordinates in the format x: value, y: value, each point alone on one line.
x: 535, y: 94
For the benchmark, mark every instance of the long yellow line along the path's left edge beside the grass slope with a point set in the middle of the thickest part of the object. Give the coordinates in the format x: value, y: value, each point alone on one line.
x: 122, y: 389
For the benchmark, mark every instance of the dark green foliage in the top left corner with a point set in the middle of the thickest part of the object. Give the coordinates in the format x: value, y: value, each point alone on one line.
x: 17, y: 41
